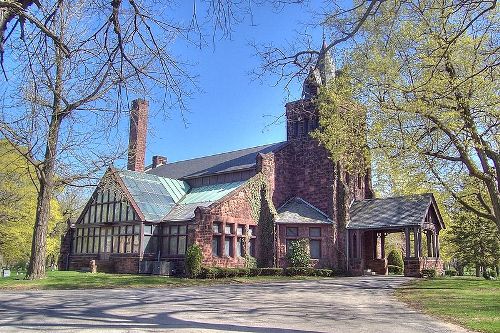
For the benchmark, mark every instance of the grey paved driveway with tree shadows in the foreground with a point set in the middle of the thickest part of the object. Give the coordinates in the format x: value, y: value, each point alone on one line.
x: 360, y: 304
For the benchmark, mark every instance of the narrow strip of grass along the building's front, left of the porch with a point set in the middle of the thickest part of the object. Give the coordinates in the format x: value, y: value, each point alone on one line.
x: 77, y: 280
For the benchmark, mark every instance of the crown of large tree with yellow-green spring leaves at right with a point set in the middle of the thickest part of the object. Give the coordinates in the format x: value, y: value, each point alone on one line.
x: 430, y: 85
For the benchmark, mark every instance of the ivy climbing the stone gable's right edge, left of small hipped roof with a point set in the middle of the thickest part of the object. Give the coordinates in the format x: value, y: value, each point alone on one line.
x: 264, y: 213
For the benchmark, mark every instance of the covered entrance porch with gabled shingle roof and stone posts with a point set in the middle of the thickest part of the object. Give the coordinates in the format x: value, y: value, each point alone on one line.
x: 415, y: 218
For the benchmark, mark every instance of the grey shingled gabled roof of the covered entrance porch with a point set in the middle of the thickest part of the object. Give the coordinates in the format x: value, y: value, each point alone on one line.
x: 396, y: 212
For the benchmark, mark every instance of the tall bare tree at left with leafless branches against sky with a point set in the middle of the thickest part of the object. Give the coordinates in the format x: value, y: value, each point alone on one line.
x: 70, y: 72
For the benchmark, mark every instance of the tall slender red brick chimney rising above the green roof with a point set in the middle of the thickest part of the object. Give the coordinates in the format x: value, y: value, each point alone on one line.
x: 137, y: 135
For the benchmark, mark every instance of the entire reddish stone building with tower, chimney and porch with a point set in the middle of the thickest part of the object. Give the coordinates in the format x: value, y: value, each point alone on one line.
x: 244, y: 204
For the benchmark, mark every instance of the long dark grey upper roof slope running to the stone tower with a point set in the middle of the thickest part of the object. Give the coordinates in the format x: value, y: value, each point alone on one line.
x: 208, y: 165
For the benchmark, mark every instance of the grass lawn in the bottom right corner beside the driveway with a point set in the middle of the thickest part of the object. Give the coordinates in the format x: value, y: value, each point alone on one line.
x: 470, y: 302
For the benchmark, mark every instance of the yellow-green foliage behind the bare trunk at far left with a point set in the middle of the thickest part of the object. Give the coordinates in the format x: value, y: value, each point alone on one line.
x: 18, y: 195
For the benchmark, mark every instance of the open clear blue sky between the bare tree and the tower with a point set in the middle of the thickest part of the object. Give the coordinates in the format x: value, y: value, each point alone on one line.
x: 232, y: 111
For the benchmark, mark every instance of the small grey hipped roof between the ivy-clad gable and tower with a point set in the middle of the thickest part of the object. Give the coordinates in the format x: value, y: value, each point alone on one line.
x: 297, y: 210
